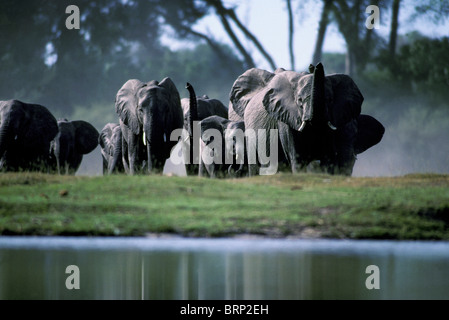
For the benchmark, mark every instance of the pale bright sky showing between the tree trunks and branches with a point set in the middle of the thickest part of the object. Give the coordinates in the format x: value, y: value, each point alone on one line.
x: 268, y: 20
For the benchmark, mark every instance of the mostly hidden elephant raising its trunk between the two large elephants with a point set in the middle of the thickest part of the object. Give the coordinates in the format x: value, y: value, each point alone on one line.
x: 196, y: 109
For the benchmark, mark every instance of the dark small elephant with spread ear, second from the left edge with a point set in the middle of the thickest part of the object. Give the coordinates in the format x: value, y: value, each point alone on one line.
x: 74, y: 139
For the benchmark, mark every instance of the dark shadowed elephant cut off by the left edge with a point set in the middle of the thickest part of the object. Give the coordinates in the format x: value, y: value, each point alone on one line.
x: 26, y: 131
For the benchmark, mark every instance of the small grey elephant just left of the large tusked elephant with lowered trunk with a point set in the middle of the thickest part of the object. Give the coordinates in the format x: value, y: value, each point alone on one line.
x: 110, y: 141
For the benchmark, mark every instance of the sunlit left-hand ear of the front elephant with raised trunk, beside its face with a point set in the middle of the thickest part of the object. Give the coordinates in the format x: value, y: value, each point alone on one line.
x: 281, y: 101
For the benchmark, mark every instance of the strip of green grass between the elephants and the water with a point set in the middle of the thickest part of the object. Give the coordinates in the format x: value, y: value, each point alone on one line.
x: 284, y: 205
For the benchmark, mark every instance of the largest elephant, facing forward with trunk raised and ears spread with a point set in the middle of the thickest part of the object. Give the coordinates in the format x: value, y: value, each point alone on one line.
x: 316, y: 115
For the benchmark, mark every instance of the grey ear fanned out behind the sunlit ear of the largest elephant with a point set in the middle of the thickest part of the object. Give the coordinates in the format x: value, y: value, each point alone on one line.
x: 246, y: 87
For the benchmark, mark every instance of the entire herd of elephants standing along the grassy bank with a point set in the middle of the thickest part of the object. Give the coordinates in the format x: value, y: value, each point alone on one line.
x: 298, y: 120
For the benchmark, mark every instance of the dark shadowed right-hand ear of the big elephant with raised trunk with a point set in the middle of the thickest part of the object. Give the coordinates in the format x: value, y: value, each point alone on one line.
x: 346, y: 103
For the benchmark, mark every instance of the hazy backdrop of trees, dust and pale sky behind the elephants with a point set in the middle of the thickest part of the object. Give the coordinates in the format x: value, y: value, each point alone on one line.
x: 402, y: 68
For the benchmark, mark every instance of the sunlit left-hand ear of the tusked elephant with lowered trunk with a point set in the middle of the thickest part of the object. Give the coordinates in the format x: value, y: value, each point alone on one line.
x: 126, y: 102
